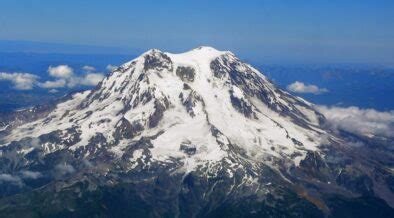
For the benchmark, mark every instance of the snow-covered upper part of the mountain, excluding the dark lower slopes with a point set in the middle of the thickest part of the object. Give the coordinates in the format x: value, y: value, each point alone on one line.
x: 201, y: 102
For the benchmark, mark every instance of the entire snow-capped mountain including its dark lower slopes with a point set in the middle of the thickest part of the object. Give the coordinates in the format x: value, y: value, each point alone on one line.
x: 212, y: 126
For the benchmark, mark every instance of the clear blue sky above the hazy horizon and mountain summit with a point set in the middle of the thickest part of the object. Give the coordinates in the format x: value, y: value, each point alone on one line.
x: 322, y: 31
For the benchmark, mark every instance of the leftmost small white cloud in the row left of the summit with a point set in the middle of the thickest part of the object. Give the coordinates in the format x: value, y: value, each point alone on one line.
x: 21, y: 81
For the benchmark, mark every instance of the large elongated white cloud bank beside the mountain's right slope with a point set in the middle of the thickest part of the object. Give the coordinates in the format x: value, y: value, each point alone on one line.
x: 366, y: 122
